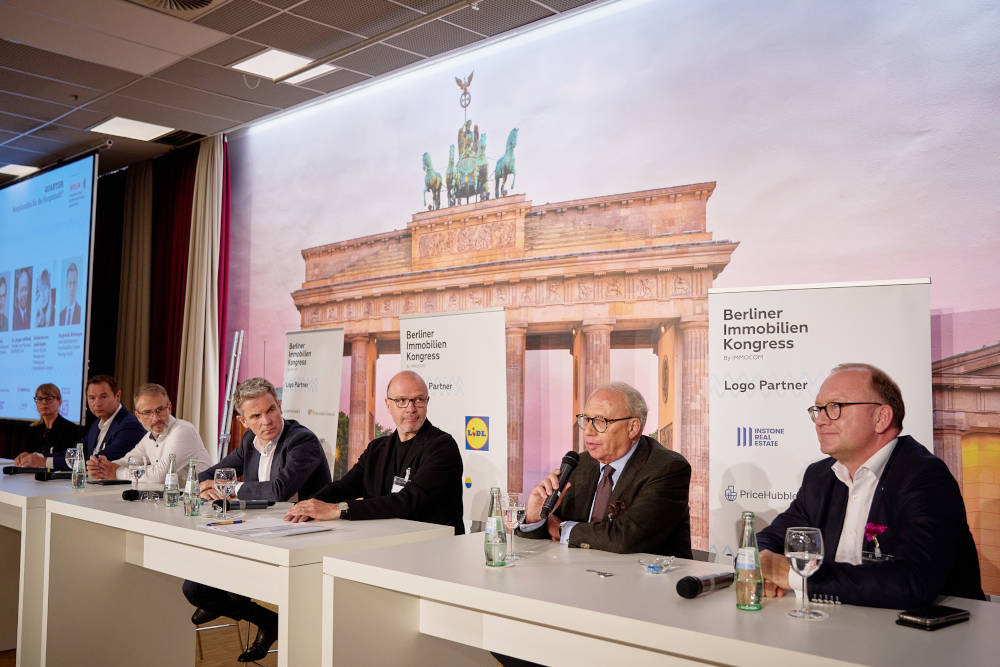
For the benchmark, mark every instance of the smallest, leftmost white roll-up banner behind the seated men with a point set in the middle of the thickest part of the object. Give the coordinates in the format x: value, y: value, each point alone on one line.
x: 311, y: 394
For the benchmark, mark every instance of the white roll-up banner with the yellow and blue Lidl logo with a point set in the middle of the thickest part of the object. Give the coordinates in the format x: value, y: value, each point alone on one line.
x: 463, y: 359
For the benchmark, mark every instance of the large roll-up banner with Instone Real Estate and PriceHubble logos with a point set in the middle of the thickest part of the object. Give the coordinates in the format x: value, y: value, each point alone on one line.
x: 770, y: 349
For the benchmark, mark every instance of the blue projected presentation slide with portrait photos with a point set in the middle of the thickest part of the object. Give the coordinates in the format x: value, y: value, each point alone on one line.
x: 45, y: 225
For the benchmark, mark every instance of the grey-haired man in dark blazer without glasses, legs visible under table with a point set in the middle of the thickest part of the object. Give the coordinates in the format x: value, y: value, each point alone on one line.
x: 279, y: 460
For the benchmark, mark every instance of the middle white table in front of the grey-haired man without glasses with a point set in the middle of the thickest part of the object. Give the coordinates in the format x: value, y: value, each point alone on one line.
x: 113, y: 572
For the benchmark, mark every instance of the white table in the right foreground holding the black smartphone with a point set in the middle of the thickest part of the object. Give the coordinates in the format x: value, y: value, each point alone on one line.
x: 436, y: 603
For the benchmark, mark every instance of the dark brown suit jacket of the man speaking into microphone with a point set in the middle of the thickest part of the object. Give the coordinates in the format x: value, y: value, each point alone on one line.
x: 655, y: 518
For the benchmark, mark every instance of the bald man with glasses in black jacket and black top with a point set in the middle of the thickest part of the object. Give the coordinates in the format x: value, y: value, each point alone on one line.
x: 413, y: 473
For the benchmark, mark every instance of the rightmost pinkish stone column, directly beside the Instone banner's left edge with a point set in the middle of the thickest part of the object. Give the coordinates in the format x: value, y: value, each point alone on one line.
x: 694, y: 424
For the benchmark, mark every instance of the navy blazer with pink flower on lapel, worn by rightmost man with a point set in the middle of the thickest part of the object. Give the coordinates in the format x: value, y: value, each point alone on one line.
x: 919, y: 503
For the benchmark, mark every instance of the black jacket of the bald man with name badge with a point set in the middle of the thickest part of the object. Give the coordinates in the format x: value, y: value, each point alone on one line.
x: 433, y: 494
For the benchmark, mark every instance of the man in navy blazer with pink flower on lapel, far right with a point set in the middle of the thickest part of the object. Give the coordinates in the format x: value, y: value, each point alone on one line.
x: 893, y: 521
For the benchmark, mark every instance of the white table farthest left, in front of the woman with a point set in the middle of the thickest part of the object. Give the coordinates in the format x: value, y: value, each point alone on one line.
x: 22, y: 547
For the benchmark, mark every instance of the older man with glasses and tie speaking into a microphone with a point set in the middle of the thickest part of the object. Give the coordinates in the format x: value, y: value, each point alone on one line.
x: 628, y: 494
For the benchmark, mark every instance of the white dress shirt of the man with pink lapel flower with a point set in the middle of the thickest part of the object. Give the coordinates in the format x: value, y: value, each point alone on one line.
x: 860, y: 493
